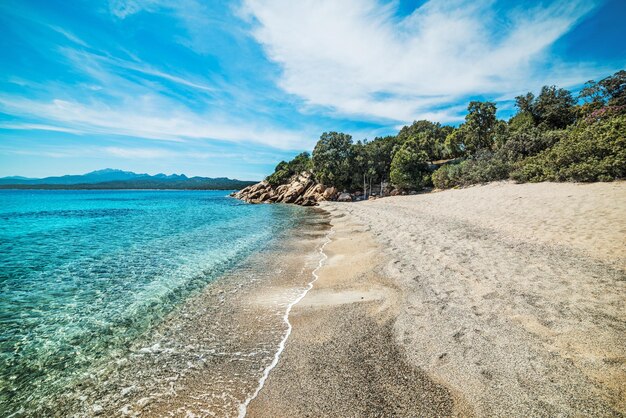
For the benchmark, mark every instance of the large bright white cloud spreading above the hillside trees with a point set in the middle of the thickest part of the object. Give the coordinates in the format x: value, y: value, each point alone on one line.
x: 355, y: 57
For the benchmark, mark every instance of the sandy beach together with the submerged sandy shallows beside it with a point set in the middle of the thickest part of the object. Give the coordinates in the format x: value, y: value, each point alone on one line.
x: 493, y: 300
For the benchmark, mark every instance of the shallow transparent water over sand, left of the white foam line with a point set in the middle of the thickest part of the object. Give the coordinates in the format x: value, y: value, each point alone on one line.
x: 207, y: 356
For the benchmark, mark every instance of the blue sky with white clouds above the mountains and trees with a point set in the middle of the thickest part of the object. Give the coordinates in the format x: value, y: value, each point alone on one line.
x: 217, y: 88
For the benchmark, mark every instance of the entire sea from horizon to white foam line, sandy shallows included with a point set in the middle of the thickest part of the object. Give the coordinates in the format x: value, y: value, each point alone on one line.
x: 129, y: 302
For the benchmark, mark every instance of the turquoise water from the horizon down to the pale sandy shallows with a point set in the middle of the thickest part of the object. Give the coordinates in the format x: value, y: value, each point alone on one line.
x: 83, y: 274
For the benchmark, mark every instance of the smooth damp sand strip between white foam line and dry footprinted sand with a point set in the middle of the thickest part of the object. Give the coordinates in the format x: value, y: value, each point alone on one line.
x: 341, y: 359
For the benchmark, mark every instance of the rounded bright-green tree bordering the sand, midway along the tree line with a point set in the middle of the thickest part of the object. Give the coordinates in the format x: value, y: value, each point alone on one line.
x: 409, y: 167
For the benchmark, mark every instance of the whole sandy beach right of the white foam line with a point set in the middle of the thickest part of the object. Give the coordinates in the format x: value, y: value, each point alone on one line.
x: 497, y: 300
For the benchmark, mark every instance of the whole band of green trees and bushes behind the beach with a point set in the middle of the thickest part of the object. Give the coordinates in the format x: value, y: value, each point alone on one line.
x: 553, y: 136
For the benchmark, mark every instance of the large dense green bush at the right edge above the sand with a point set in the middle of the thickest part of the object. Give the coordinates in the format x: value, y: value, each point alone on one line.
x: 587, y: 152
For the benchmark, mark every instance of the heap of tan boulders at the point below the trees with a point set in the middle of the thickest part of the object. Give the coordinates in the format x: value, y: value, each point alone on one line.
x: 301, y: 190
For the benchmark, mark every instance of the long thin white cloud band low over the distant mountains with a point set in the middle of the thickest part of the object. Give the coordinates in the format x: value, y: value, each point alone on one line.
x: 144, y: 117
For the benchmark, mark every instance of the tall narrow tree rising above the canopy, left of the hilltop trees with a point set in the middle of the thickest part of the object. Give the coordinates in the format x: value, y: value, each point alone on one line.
x: 479, y: 126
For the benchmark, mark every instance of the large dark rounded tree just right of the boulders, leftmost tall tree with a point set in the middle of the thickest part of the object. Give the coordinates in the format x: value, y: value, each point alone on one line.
x: 332, y: 159
